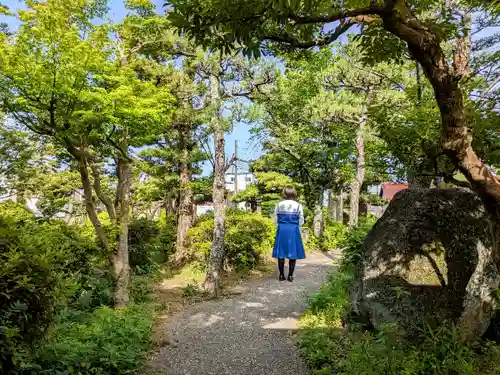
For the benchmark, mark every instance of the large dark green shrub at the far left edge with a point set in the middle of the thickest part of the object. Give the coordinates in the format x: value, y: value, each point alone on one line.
x: 41, y: 263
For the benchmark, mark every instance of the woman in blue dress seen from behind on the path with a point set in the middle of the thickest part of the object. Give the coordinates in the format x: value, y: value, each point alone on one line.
x: 289, y: 217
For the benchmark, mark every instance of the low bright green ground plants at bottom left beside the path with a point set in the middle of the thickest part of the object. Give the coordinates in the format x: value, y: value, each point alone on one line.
x: 106, y: 341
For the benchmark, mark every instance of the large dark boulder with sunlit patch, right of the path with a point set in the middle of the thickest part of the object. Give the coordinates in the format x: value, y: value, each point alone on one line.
x: 428, y: 259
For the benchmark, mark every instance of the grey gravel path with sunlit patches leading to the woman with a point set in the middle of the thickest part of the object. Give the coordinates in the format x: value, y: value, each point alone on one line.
x: 250, y: 334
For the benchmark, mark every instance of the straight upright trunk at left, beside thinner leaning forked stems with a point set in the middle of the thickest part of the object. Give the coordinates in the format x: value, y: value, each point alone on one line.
x: 121, y: 257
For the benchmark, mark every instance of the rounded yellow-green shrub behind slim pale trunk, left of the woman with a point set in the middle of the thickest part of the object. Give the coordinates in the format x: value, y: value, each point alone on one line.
x: 248, y: 238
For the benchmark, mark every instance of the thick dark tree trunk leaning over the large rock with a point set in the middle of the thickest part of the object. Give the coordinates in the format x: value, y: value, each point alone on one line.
x: 456, y: 140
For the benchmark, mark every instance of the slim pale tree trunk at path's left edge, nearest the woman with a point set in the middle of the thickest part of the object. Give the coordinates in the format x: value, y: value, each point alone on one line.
x: 213, y: 276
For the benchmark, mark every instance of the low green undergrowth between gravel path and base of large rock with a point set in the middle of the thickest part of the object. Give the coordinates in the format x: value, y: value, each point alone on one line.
x: 330, y: 348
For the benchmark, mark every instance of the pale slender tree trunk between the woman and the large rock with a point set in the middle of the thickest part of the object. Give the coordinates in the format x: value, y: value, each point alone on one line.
x: 360, y: 165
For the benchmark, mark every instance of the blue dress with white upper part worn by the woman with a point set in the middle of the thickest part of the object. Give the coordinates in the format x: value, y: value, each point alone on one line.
x: 288, y: 243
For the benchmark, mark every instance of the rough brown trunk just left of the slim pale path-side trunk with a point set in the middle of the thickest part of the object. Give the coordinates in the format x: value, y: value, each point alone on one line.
x: 185, y: 216
